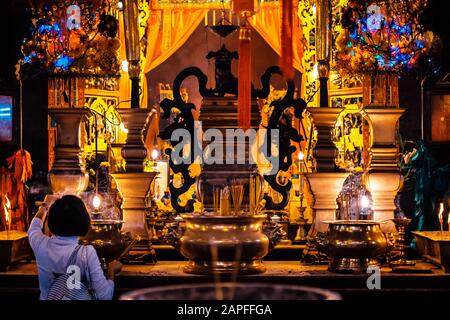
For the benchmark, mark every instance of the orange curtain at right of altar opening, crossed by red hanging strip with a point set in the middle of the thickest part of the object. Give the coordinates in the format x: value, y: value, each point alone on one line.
x: 267, y: 22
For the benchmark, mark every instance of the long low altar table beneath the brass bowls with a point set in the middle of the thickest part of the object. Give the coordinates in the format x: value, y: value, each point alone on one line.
x: 394, y: 285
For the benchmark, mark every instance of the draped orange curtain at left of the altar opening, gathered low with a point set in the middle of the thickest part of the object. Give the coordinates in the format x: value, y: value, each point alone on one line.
x: 167, y: 31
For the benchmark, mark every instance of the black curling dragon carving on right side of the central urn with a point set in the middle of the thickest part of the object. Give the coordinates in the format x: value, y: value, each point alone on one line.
x: 281, y: 119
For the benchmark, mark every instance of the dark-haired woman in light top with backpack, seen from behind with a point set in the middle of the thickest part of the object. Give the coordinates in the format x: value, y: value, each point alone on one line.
x: 67, y: 270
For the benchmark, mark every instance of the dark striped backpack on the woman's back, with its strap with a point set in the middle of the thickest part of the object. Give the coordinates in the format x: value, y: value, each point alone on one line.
x: 64, y: 287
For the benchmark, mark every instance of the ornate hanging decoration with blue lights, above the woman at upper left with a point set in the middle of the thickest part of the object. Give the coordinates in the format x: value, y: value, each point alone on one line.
x: 77, y: 39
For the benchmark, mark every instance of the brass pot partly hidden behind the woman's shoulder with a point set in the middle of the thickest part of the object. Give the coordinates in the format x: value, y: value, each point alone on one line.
x: 105, y: 236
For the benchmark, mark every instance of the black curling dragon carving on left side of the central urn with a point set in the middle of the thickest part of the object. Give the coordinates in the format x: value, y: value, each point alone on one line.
x: 183, y: 120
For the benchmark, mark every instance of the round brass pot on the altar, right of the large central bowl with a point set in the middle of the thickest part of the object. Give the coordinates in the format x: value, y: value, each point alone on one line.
x: 352, y: 244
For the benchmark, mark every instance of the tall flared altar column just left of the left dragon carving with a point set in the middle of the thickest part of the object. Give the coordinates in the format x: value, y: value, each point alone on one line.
x: 134, y: 183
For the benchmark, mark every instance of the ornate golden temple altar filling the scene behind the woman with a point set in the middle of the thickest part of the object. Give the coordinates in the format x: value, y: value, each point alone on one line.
x: 233, y: 141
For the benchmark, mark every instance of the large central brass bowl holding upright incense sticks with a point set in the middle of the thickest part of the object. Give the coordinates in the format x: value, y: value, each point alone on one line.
x: 222, y: 244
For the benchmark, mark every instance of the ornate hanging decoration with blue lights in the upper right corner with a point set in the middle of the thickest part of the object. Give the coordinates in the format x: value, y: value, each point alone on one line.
x: 384, y: 36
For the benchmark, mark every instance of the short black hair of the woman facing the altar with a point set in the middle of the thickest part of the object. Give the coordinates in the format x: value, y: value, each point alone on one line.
x: 69, y: 217
